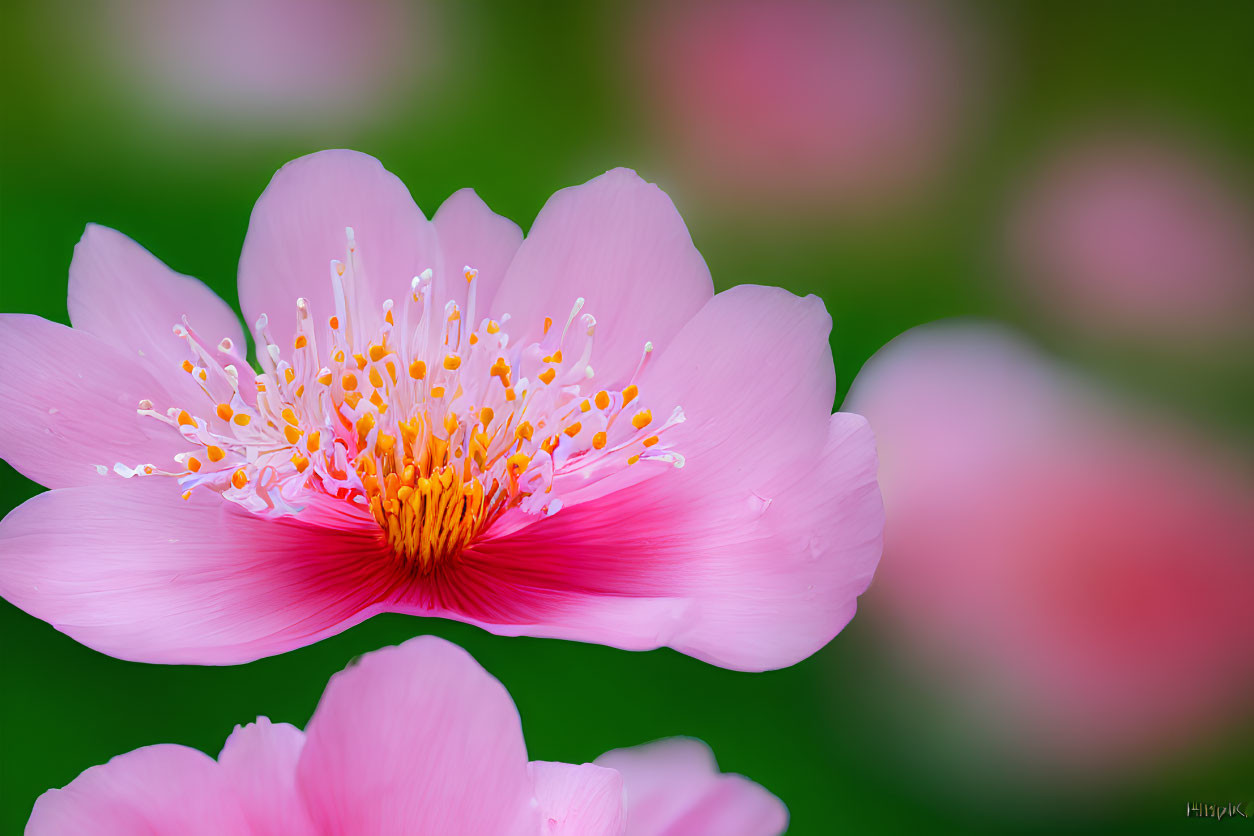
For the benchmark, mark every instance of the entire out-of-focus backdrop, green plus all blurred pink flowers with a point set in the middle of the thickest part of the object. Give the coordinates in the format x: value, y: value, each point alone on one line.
x: 1060, y: 635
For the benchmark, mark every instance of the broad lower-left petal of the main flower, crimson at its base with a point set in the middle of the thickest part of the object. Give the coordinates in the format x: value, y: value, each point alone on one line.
x: 131, y: 570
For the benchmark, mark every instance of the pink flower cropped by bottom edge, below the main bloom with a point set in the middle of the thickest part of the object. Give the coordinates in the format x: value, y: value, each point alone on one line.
x: 416, y: 739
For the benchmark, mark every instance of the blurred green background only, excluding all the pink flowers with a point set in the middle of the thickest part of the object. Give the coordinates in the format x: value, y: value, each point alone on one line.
x: 520, y: 101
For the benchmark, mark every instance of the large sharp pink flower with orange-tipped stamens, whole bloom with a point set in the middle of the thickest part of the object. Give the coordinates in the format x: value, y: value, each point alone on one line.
x: 545, y: 472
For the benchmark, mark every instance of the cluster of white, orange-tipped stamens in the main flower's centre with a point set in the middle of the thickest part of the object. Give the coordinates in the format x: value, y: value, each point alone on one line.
x: 432, y: 427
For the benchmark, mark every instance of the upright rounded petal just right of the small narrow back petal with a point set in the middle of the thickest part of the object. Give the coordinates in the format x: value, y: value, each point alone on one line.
x: 618, y: 243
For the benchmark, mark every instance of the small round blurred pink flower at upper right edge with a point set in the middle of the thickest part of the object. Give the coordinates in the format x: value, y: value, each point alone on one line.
x: 1135, y: 234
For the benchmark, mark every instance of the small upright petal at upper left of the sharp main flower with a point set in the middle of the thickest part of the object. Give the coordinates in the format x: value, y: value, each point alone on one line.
x: 125, y: 295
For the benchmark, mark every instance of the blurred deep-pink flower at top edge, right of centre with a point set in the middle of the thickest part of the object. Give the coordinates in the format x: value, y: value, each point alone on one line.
x: 853, y: 103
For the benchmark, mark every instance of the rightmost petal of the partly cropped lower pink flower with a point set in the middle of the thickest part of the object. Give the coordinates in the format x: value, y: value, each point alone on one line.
x: 674, y: 789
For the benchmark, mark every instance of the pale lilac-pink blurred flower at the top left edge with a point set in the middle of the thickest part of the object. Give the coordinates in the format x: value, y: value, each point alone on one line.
x: 265, y: 65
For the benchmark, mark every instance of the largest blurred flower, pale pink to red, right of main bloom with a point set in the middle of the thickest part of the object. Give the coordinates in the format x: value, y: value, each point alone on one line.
x: 1079, y: 573
